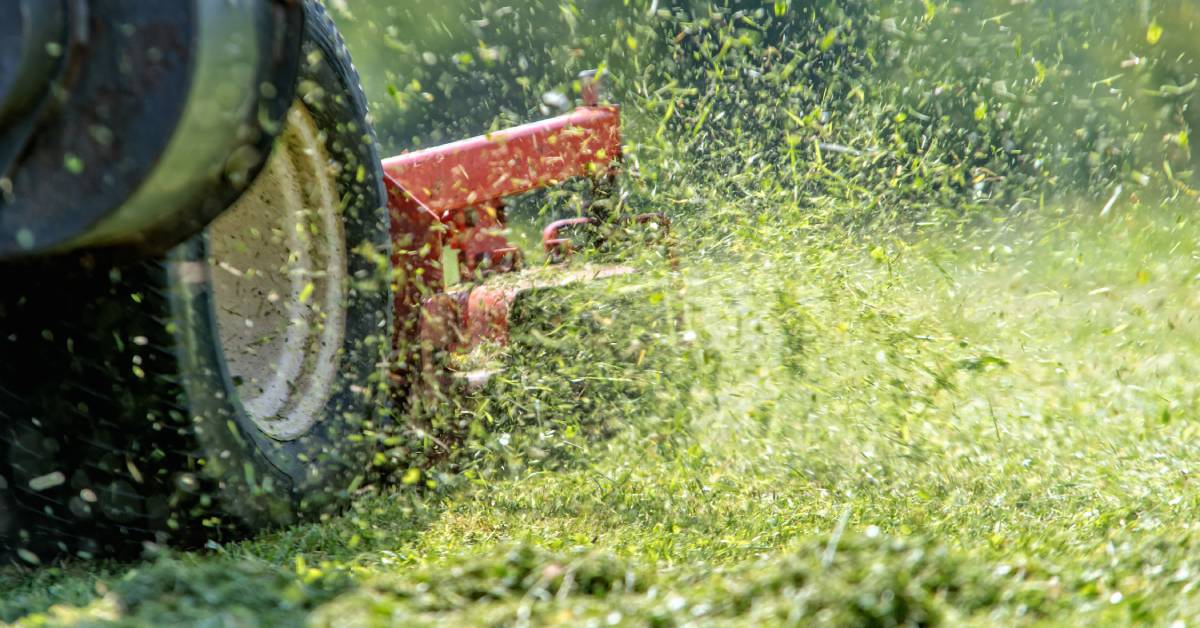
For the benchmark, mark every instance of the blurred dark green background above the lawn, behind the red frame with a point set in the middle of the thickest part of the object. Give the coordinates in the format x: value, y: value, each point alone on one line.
x: 927, y: 104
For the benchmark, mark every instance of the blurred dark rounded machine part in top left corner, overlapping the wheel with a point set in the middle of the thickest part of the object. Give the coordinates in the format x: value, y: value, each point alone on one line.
x: 148, y: 121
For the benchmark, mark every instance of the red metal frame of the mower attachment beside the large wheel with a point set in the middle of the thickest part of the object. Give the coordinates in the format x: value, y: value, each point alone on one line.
x: 447, y: 205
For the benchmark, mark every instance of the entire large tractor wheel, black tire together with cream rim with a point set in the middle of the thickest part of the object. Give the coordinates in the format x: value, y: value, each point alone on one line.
x: 227, y: 387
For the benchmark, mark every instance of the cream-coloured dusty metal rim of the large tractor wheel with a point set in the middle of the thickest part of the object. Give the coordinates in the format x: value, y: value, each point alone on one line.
x: 279, y: 284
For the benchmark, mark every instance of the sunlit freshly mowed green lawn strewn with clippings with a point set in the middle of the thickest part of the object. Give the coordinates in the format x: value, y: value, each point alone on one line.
x: 992, y: 427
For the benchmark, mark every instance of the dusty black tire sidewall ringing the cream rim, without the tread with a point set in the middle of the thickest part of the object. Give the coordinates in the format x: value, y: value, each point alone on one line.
x: 311, y: 473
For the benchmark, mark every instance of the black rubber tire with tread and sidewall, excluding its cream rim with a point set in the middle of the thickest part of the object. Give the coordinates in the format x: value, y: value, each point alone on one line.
x: 119, y: 423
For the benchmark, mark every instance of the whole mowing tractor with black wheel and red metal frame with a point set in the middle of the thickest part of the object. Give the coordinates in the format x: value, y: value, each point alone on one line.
x: 211, y: 283
